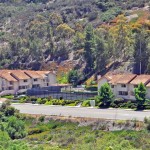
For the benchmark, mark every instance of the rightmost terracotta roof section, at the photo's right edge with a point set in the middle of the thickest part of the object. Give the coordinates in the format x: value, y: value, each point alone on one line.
x: 141, y: 79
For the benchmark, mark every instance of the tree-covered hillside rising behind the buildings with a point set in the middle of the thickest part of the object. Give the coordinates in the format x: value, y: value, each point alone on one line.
x: 65, y: 34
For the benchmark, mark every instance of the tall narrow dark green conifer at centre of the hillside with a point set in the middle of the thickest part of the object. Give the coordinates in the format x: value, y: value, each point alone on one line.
x: 89, y: 48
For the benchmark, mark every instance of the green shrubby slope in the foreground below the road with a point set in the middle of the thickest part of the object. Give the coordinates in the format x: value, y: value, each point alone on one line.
x: 21, y: 132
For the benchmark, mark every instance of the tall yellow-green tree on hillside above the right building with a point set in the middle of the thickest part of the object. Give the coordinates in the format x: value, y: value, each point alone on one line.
x: 121, y: 39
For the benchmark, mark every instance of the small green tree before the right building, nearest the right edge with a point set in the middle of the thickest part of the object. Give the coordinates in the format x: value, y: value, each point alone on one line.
x: 140, y: 94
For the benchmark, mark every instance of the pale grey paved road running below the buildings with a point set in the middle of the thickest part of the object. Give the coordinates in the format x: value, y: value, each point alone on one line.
x: 82, y: 112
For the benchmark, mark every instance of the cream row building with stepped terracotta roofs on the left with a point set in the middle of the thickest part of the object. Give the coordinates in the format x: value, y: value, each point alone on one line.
x: 18, y: 81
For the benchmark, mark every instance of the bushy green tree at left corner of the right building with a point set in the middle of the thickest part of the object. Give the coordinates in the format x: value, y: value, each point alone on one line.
x: 106, y: 94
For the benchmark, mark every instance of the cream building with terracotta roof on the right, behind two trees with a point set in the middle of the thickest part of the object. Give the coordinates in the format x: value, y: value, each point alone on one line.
x: 123, y: 85
